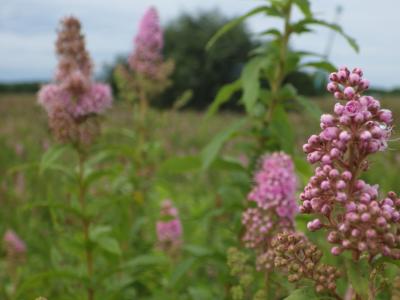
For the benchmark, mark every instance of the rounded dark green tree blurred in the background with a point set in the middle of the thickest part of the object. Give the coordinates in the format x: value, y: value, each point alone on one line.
x: 197, y: 69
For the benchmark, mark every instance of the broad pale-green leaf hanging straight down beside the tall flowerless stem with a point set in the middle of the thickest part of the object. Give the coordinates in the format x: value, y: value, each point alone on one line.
x: 251, y: 83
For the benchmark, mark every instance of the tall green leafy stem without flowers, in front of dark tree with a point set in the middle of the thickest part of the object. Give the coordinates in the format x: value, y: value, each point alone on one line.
x: 266, y: 104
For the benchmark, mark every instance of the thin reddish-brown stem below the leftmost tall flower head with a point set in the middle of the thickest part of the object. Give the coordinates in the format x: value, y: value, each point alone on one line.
x: 86, y: 224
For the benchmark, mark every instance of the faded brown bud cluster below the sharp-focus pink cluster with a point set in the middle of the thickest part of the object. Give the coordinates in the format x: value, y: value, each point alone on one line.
x: 295, y: 255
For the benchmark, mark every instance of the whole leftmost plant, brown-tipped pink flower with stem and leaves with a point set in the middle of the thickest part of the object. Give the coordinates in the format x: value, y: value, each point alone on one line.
x: 74, y: 104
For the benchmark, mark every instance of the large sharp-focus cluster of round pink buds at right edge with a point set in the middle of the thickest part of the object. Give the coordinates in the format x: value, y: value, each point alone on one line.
x: 346, y: 206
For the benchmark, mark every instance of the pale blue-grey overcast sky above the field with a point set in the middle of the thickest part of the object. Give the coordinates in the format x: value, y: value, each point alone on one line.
x: 27, y: 32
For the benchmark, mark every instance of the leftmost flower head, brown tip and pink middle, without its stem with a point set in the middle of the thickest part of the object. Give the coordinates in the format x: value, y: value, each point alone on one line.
x: 73, y: 98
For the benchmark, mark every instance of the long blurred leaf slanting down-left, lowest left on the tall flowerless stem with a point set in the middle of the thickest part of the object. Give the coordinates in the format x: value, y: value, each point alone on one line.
x: 211, y: 151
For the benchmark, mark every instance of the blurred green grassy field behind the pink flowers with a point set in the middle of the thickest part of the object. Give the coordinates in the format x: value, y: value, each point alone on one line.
x: 206, y: 206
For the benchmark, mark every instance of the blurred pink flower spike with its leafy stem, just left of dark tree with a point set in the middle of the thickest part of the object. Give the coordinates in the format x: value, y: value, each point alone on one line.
x: 142, y: 77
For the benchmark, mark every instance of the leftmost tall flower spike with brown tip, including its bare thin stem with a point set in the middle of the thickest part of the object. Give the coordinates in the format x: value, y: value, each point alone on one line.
x: 73, y: 103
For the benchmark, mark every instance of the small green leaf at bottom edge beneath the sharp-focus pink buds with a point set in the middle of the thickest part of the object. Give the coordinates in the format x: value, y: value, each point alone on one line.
x: 358, y: 276
